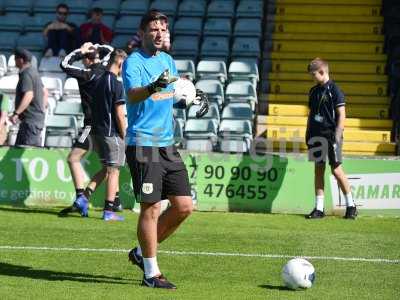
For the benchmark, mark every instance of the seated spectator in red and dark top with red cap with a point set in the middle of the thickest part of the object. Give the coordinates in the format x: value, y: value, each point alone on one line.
x: 95, y: 31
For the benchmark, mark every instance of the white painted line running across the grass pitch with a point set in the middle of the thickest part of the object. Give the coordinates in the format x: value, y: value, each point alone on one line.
x: 198, y: 253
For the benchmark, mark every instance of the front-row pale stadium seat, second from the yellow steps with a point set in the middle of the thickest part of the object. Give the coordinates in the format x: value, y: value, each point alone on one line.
x: 200, y: 134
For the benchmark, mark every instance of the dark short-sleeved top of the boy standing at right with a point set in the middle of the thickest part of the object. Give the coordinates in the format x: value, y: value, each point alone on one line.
x: 323, y: 101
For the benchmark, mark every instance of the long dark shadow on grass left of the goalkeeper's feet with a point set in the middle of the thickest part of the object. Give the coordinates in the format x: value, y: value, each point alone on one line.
x: 29, y: 272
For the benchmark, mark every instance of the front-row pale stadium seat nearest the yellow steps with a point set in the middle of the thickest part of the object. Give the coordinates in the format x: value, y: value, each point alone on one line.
x: 235, y: 136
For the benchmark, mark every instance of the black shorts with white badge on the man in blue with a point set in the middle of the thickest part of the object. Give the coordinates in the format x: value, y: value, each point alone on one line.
x: 157, y: 172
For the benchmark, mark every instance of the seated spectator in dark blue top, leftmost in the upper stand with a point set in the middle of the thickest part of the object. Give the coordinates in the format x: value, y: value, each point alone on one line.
x: 60, y: 34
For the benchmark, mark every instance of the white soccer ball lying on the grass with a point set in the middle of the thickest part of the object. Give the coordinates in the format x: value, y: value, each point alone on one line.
x: 298, y: 273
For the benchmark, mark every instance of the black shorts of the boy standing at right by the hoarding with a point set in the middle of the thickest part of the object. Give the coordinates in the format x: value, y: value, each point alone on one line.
x: 318, y: 151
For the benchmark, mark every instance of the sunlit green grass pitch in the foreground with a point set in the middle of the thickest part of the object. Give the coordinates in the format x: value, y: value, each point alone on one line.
x: 65, y: 272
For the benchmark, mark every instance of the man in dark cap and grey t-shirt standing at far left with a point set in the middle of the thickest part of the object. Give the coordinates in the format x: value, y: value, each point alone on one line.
x: 30, y: 101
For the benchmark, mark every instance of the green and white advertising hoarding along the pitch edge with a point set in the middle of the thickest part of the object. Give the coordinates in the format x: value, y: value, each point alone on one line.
x: 220, y: 182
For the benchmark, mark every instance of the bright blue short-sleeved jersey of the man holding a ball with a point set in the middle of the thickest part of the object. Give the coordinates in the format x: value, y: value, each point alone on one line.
x: 150, y: 122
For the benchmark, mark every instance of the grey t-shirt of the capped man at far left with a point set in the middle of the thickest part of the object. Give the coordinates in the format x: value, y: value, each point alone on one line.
x: 29, y: 80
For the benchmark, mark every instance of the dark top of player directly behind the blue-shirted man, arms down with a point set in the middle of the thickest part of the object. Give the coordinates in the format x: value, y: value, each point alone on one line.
x: 108, y: 93
